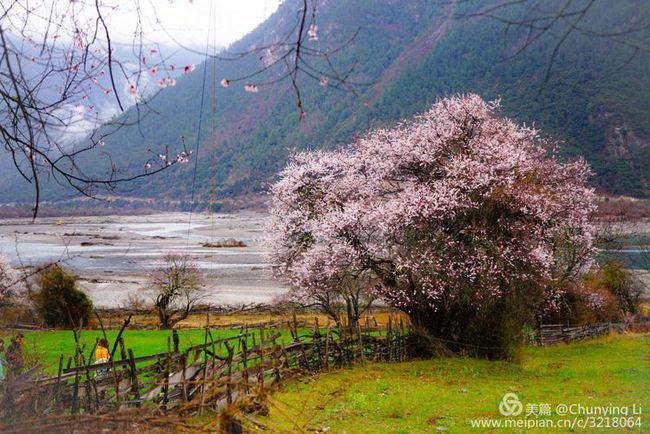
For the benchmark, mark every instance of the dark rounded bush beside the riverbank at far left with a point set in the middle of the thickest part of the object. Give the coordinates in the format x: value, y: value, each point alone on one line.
x: 59, y: 302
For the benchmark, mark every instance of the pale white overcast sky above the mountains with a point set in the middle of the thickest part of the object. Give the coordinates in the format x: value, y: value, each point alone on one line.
x: 168, y: 22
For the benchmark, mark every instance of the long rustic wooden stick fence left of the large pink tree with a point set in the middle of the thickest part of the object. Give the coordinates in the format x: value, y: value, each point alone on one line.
x: 211, y: 375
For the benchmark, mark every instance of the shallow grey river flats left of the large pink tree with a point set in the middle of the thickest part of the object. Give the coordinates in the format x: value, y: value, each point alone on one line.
x: 112, y: 255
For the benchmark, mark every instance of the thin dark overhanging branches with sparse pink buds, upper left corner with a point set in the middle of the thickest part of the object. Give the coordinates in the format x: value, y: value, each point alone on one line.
x: 56, y: 60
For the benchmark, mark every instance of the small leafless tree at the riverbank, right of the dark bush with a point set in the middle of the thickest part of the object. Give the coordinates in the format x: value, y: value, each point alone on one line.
x: 177, y: 289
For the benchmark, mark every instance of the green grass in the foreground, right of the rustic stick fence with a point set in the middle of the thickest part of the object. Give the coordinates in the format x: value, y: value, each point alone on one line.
x: 442, y: 394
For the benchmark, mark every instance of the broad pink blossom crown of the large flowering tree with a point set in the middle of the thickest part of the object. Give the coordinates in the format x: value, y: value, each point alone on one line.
x: 457, y: 203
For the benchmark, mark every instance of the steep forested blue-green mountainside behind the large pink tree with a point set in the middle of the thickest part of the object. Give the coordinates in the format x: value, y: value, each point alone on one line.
x: 590, y: 91
